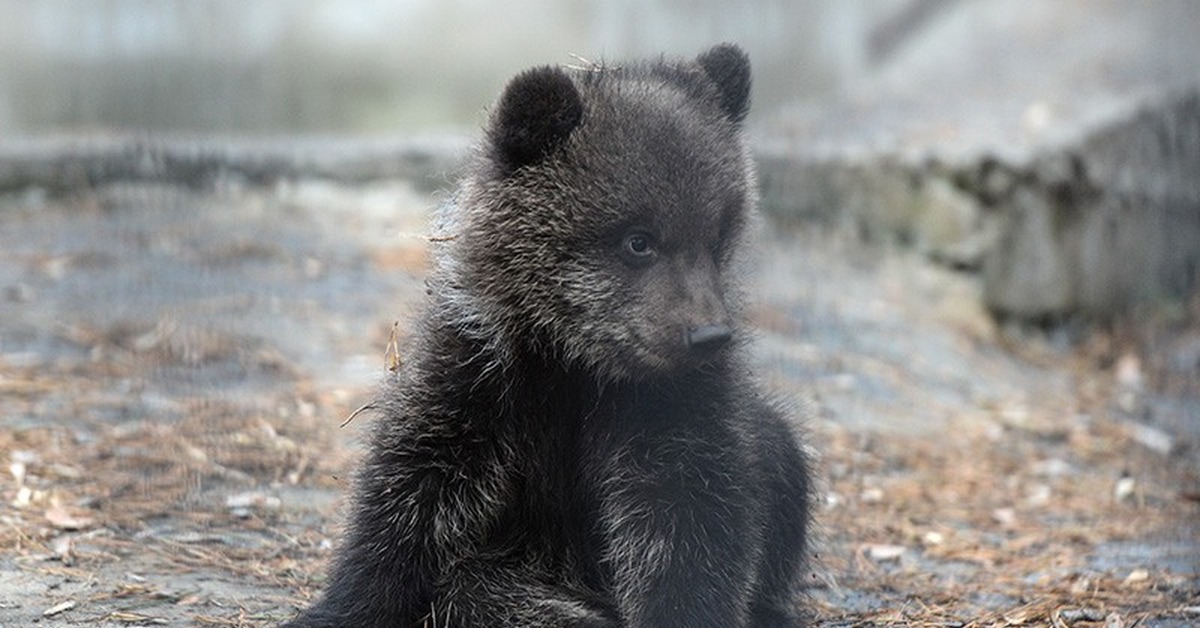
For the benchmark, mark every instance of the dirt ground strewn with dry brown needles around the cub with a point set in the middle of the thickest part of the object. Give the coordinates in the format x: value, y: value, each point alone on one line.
x: 175, y: 369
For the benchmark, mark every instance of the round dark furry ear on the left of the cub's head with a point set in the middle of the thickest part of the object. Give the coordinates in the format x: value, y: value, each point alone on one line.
x: 539, y: 110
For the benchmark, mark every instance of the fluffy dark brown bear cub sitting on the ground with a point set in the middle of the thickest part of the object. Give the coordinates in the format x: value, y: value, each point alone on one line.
x: 574, y: 438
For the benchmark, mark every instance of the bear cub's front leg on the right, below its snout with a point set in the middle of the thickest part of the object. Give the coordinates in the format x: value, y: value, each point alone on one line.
x: 682, y: 531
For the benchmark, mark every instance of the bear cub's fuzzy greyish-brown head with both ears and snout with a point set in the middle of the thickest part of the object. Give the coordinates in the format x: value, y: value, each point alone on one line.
x: 603, y: 217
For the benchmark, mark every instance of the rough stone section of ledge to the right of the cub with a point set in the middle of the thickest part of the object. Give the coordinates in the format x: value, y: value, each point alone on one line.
x: 1087, y: 228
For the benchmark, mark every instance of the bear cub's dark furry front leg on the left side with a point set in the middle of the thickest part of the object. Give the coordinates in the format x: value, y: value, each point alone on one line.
x: 424, y: 499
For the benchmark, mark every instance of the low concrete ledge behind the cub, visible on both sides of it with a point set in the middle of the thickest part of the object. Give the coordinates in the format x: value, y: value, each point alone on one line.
x: 1087, y: 228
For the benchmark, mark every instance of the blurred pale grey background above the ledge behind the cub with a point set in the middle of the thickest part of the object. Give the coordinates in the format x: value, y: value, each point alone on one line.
x: 280, y: 67
